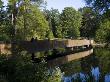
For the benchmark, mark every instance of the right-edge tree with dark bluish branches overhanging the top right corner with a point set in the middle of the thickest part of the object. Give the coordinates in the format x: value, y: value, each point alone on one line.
x: 103, y: 7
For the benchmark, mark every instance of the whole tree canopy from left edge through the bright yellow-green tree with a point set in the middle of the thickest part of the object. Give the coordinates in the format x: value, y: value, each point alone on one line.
x: 24, y: 21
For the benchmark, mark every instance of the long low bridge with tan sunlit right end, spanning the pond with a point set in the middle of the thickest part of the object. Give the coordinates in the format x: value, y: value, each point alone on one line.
x: 43, y: 45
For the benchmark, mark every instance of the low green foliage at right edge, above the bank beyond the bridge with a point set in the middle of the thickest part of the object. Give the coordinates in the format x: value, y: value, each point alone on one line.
x: 103, y: 32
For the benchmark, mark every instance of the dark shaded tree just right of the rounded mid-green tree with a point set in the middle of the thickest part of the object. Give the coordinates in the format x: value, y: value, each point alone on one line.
x: 90, y: 22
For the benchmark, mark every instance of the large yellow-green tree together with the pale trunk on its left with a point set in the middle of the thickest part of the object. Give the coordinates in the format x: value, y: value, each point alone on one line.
x: 28, y: 20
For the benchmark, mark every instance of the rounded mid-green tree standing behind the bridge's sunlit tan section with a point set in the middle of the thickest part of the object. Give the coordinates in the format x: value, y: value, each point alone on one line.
x: 70, y: 22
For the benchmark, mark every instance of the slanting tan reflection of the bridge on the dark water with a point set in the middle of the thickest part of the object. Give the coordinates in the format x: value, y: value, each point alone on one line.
x: 67, y: 58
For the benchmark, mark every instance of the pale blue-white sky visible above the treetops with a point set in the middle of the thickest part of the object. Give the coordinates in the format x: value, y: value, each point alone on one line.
x: 61, y: 4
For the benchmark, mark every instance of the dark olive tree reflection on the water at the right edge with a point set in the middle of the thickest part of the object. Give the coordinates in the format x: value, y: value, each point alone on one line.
x: 104, y: 56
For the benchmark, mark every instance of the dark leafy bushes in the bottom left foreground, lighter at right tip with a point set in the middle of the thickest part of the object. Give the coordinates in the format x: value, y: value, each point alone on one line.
x: 22, y: 69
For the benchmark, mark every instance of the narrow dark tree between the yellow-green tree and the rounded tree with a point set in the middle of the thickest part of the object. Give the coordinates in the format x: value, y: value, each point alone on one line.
x: 53, y: 18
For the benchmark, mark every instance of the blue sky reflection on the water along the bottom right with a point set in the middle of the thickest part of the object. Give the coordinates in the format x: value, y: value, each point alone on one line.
x: 82, y: 77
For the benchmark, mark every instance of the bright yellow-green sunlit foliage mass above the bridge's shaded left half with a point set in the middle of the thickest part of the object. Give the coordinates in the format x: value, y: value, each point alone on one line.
x: 33, y: 24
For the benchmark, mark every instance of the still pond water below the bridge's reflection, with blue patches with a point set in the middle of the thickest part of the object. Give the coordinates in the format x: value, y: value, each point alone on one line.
x: 92, y: 68
